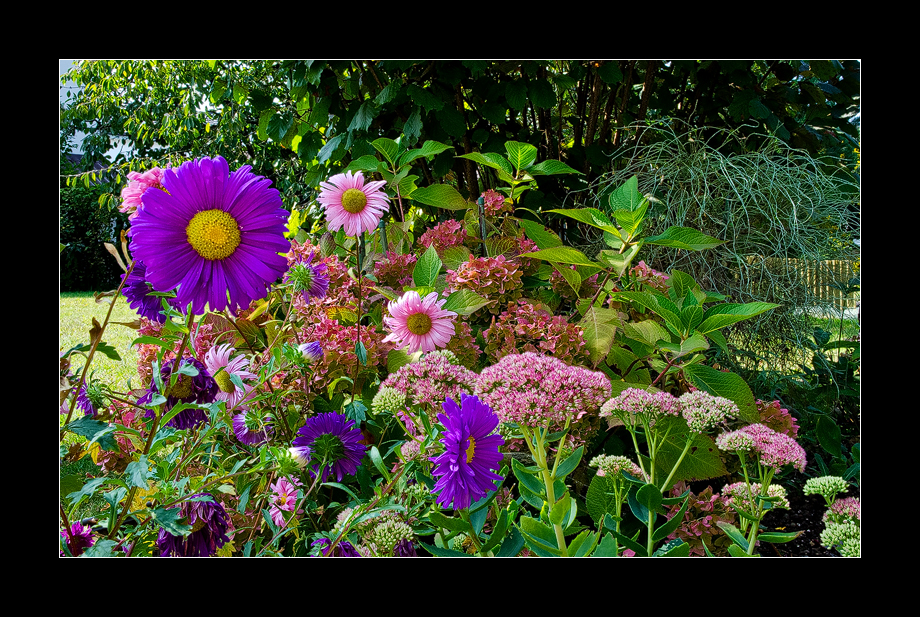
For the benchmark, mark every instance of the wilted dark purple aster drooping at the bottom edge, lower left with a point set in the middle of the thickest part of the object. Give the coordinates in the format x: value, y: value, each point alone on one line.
x: 209, y: 522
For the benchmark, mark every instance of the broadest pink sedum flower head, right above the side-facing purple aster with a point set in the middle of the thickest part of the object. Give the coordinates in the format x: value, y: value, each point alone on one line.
x: 534, y: 390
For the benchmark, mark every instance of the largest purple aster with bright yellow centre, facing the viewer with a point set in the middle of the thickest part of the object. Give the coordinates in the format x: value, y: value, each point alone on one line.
x: 215, y: 234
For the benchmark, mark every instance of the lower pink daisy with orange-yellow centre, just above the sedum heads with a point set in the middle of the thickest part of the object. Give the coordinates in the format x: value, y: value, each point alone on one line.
x: 420, y: 324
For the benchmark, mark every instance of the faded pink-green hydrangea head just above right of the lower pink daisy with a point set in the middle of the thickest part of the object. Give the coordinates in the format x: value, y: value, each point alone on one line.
x: 494, y: 278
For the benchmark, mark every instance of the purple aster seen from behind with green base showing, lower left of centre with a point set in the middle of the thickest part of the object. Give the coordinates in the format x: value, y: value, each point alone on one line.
x: 330, y: 437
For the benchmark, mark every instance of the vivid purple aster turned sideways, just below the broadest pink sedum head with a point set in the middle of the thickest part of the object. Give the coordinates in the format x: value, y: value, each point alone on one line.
x: 464, y: 470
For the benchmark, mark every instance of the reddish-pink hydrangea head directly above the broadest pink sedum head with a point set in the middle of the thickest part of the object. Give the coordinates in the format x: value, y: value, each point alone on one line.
x: 524, y: 327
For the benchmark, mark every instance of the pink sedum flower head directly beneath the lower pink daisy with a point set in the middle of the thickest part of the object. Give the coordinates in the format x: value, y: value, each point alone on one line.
x: 431, y: 381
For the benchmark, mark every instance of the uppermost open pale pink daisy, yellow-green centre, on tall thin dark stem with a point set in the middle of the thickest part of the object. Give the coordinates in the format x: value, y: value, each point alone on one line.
x: 351, y: 203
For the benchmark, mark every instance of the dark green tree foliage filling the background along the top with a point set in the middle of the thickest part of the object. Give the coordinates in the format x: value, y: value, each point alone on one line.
x: 298, y: 121
